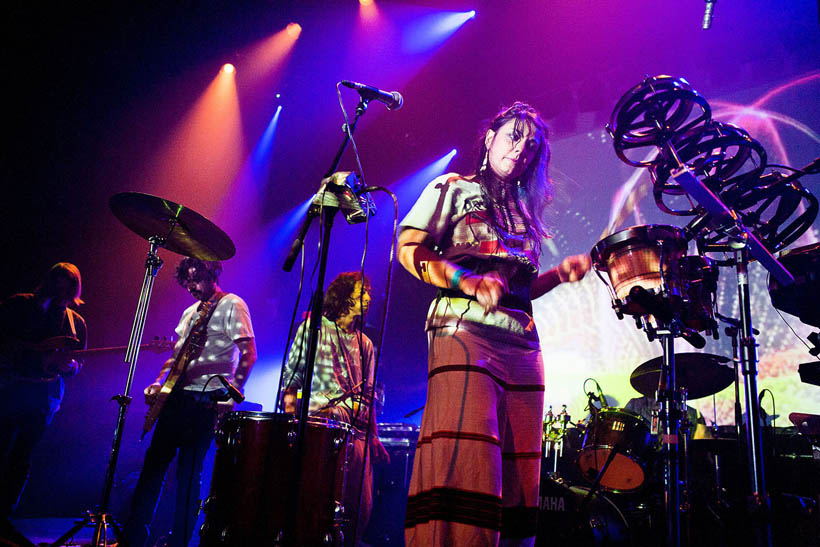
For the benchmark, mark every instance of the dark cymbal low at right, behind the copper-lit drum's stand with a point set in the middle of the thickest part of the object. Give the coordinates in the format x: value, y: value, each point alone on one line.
x: 701, y: 374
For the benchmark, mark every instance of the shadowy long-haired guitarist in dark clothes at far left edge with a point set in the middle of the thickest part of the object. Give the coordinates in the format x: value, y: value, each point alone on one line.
x: 31, y: 372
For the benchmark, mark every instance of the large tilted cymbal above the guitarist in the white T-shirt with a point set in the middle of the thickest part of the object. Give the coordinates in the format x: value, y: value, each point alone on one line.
x: 186, y: 232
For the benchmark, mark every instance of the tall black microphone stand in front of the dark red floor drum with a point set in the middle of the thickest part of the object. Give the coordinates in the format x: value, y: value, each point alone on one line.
x: 327, y: 213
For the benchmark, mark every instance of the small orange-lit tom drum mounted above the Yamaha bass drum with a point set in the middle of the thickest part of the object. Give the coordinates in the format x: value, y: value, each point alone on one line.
x: 615, y: 428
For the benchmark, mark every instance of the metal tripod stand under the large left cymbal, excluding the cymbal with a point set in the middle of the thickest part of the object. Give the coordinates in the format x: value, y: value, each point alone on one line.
x: 99, y: 516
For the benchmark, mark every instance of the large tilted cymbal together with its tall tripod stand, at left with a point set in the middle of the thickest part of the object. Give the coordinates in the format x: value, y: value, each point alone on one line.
x: 171, y: 226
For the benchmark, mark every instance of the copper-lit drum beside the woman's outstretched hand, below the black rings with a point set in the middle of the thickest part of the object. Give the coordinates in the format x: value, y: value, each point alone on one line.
x: 635, y: 257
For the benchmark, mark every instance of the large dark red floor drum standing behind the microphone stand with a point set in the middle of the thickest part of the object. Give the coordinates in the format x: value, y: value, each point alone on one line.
x: 252, y: 485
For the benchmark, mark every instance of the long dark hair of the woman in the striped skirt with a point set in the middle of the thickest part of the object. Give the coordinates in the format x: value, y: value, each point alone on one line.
x: 536, y: 189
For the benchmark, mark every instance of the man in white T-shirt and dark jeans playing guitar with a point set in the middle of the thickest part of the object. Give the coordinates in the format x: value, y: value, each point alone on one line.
x: 215, y: 339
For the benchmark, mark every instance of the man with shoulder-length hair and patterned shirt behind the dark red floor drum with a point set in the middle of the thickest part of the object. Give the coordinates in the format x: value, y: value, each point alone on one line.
x: 342, y: 387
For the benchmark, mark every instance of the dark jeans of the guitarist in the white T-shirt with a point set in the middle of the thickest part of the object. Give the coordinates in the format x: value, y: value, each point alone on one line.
x: 184, y: 429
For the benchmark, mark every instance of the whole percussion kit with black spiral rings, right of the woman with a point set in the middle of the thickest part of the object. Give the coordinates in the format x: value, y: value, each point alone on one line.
x: 743, y: 210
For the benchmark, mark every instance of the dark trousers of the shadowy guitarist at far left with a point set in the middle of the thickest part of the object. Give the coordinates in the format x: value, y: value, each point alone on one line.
x: 26, y: 410
